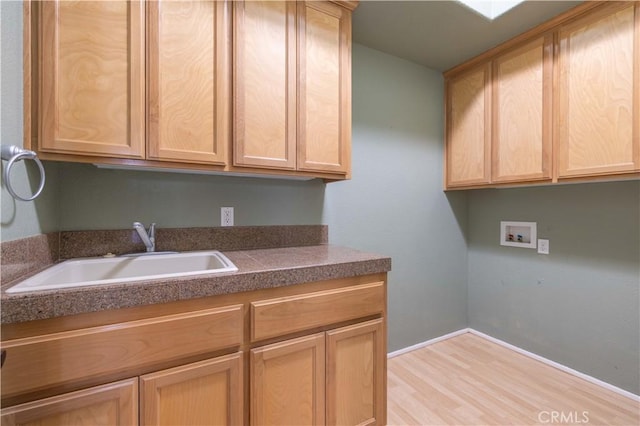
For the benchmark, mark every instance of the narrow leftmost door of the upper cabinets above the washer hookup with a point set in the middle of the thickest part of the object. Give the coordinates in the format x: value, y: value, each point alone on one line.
x: 468, y: 147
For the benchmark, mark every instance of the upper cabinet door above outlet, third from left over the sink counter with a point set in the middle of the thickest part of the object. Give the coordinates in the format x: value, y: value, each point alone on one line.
x: 265, y: 84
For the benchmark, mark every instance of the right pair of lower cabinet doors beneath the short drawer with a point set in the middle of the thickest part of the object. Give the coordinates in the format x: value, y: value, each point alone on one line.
x: 336, y: 377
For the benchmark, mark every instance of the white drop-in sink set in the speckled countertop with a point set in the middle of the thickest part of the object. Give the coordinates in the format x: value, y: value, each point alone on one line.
x: 97, y: 271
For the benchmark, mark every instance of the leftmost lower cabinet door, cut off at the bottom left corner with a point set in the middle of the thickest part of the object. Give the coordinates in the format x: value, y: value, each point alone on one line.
x: 106, y: 405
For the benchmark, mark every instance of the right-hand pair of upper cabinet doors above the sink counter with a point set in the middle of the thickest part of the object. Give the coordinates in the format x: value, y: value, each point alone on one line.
x: 292, y: 81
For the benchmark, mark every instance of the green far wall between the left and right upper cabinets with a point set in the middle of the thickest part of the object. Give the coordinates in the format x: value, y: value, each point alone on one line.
x: 395, y: 203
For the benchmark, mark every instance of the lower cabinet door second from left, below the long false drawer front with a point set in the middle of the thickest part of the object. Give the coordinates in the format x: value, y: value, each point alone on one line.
x: 202, y: 393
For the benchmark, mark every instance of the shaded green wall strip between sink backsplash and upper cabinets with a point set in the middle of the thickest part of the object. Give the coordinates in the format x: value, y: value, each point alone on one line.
x: 93, y: 198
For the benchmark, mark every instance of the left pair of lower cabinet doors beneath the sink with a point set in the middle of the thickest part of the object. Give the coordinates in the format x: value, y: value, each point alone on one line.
x: 202, y: 393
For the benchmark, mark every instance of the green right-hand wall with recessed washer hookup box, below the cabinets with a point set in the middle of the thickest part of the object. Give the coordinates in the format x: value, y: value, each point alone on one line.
x: 579, y: 305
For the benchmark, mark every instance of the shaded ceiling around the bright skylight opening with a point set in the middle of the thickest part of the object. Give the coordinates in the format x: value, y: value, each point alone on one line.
x: 442, y: 34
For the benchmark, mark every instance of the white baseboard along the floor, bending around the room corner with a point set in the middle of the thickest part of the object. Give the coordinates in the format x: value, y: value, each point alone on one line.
x: 544, y: 360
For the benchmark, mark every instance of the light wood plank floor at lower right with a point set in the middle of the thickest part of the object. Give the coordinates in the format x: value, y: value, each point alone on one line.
x: 468, y: 380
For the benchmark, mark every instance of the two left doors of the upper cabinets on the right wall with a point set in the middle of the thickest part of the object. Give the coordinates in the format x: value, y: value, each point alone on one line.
x: 499, y: 119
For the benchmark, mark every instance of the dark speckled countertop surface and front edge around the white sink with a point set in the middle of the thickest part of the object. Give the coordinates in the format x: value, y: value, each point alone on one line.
x: 257, y: 269
